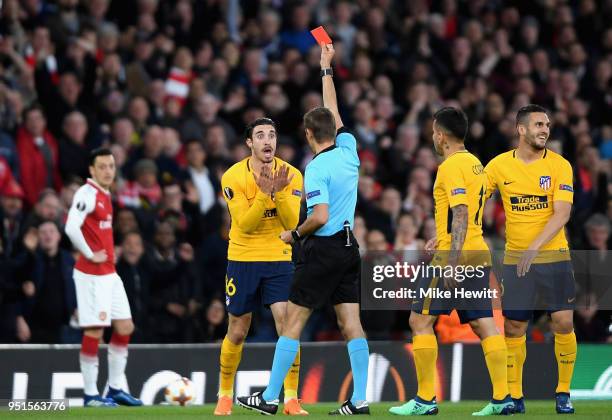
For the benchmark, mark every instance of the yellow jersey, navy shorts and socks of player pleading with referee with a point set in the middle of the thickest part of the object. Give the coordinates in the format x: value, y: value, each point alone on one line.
x: 259, y: 263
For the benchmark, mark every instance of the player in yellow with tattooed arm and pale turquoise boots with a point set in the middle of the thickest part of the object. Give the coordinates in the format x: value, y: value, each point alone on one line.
x: 459, y: 198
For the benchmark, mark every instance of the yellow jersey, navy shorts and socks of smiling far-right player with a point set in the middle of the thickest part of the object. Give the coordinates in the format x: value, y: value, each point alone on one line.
x: 528, y: 191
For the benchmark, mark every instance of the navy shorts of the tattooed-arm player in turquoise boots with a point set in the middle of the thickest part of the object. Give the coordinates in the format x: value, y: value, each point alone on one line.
x: 468, y: 310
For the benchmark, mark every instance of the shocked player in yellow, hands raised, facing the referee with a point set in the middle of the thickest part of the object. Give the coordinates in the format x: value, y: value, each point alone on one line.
x: 263, y: 195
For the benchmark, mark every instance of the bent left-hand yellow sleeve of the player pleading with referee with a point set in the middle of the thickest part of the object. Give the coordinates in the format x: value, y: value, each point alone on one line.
x: 246, y: 217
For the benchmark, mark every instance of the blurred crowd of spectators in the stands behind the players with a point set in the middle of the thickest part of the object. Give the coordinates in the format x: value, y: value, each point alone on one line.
x: 170, y: 85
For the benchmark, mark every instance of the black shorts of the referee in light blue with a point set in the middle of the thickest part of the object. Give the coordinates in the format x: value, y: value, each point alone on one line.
x: 326, y: 271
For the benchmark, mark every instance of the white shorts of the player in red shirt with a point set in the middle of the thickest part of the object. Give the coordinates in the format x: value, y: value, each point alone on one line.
x: 100, y: 299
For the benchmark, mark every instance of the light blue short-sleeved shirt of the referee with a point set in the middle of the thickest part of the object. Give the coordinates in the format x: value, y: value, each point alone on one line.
x: 331, y: 178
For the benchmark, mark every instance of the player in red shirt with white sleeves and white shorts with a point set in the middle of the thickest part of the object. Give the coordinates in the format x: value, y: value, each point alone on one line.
x: 101, y: 297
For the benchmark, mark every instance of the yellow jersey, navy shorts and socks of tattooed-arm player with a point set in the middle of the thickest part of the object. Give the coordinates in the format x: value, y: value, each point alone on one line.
x: 460, y: 181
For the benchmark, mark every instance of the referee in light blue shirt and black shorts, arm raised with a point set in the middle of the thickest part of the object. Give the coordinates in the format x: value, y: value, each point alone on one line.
x: 328, y: 266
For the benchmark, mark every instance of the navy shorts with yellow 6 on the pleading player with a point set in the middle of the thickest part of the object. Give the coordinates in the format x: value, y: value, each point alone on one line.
x: 248, y: 283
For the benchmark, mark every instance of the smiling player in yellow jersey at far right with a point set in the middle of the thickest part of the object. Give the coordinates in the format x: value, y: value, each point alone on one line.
x: 537, y: 192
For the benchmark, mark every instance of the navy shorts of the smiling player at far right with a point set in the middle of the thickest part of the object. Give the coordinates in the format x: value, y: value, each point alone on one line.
x: 546, y: 286
